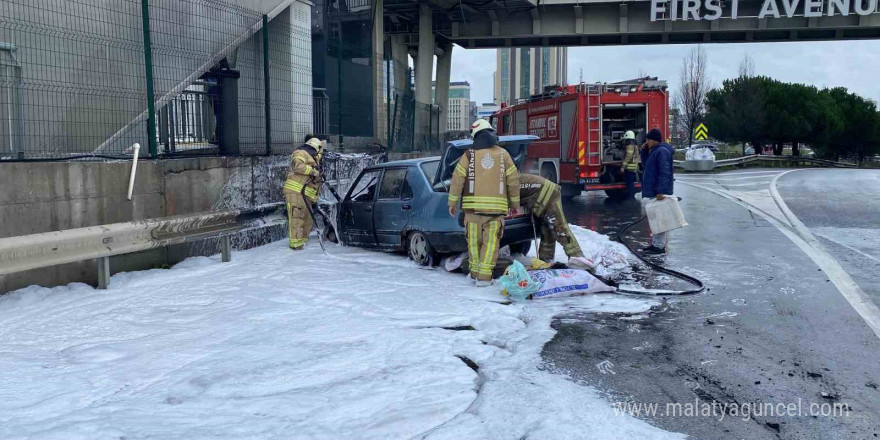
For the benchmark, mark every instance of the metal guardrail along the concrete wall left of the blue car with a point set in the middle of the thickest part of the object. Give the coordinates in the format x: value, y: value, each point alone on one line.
x: 102, y: 242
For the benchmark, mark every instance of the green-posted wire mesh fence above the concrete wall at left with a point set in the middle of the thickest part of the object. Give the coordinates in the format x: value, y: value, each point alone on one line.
x: 89, y: 79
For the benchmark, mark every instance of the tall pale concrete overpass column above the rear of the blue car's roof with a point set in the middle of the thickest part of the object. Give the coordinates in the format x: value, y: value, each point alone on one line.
x: 424, y: 72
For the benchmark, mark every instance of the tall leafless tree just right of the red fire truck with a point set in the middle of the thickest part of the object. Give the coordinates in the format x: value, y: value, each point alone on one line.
x: 693, y: 86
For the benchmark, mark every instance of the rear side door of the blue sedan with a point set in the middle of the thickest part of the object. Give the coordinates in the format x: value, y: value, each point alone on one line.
x: 393, y: 207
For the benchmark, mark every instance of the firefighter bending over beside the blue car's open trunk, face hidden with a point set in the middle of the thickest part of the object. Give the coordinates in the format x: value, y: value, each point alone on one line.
x: 544, y: 199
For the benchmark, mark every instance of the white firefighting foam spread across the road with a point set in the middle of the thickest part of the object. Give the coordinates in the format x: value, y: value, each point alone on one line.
x: 295, y: 345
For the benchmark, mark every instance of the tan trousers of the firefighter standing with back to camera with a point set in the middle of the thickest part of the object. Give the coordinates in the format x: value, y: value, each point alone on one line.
x: 484, y: 238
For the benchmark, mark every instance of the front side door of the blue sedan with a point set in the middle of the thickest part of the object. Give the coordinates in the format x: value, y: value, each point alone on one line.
x: 356, y: 215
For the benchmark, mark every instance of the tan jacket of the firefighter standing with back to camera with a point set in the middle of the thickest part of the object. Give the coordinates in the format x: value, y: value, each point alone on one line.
x: 486, y: 180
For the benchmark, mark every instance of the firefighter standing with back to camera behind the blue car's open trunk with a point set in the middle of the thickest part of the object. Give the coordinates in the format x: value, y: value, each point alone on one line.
x: 486, y: 182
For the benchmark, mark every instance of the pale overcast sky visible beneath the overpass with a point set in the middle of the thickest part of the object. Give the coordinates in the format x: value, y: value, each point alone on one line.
x: 851, y: 64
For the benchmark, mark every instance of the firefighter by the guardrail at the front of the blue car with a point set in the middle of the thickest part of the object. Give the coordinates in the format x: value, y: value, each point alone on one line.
x: 301, y: 190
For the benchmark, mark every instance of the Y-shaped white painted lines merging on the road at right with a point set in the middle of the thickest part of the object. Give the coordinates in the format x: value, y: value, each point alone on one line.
x: 851, y: 291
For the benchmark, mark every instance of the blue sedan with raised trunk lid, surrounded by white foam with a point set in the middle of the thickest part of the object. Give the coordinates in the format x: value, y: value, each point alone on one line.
x: 402, y: 206
